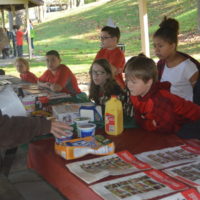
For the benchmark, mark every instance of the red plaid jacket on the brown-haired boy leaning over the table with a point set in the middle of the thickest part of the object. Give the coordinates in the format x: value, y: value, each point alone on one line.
x: 159, y: 110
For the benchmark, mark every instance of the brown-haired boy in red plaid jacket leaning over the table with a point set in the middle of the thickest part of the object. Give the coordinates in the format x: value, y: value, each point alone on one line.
x: 156, y: 109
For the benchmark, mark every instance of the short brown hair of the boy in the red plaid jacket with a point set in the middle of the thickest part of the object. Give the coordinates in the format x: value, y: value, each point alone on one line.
x: 142, y: 67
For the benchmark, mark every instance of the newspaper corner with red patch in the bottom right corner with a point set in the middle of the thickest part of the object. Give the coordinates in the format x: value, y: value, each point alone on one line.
x: 190, y: 194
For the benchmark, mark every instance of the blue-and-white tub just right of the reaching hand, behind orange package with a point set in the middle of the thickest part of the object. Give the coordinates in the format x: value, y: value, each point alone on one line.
x: 85, y: 130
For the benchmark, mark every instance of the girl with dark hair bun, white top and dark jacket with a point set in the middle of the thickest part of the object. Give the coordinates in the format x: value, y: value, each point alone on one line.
x: 178, y: 68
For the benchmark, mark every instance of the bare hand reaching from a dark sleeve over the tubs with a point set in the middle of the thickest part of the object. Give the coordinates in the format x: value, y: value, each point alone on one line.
x: 58, y: 129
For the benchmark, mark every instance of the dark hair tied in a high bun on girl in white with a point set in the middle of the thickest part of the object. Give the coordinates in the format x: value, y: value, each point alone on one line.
x: 168, y: 30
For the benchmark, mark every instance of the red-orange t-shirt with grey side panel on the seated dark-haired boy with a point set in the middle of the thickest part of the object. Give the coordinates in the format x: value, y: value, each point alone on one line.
x: 63, y: 77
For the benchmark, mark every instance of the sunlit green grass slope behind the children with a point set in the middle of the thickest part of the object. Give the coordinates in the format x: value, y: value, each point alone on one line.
x: 75, y: 34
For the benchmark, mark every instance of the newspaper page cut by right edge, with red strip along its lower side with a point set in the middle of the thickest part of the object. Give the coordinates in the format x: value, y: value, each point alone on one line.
x: 188, y: 173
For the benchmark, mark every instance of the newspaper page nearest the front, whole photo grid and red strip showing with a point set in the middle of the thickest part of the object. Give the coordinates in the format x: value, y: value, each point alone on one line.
x: 144, y: 185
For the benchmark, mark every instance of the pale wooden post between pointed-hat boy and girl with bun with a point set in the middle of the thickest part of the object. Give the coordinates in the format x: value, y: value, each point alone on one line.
x: 144, y: 27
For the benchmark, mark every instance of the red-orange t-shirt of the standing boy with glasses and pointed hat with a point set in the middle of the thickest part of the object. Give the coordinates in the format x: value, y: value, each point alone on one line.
x: 116, y: 58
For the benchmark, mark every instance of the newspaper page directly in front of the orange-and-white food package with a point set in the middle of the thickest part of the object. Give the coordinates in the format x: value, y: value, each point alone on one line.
x: 117, y: 164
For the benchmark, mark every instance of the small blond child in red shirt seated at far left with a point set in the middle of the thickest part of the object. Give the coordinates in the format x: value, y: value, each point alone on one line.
x: 22, y: 67
